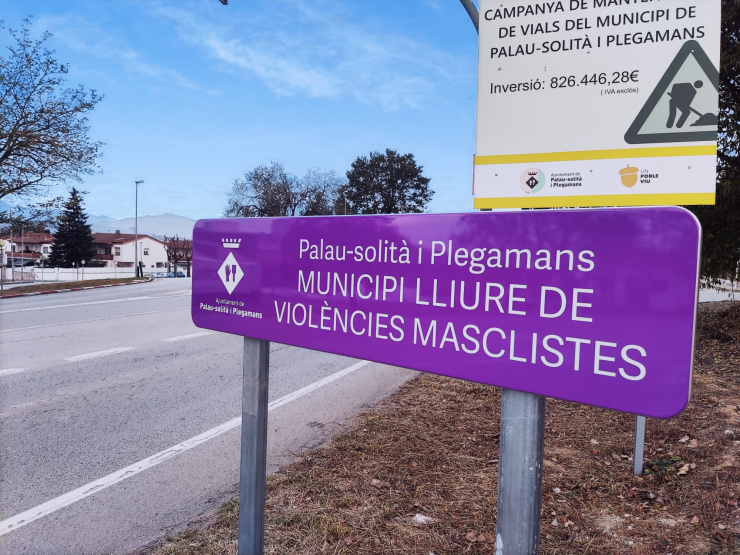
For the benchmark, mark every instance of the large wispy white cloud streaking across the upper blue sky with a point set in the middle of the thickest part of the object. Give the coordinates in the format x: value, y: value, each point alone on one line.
x: 318, y: 50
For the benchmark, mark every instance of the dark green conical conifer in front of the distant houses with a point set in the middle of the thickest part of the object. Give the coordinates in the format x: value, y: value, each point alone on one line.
x: 73, y: 241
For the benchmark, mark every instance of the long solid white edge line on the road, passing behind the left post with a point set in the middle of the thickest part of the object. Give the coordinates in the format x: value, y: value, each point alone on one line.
x: 40, y: 511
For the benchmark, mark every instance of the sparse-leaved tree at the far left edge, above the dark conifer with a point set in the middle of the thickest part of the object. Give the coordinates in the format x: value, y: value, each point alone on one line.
x: 43, y: 125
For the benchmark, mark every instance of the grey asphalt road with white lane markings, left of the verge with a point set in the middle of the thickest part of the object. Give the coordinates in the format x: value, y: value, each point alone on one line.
x: 94, y: 383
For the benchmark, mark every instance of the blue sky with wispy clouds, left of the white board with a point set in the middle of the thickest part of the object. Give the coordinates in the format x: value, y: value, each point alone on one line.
x: 197, y: 93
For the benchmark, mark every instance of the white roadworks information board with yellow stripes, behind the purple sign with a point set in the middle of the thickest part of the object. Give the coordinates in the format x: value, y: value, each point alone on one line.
x: 597, y: 103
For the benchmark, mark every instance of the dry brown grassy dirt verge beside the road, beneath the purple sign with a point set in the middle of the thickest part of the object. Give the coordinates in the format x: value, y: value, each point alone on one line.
x: 419, y: 475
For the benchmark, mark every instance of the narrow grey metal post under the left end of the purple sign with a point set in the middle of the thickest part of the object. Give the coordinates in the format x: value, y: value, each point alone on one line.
x: 256, y: 371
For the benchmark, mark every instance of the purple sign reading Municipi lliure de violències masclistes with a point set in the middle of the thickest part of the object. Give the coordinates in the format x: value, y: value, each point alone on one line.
x: 591, y: 306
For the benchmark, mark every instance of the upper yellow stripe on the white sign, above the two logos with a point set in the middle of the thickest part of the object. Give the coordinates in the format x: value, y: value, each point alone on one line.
x: 660, y: 152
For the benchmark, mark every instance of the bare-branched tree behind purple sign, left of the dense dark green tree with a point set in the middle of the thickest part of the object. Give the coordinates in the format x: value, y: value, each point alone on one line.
x: 270, y: 191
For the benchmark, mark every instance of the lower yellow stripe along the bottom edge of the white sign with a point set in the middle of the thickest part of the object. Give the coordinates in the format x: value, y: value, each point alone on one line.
x: 678, y: 199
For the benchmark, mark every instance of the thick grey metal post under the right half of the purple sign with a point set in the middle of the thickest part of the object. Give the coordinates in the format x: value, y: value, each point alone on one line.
x: 520, y: 473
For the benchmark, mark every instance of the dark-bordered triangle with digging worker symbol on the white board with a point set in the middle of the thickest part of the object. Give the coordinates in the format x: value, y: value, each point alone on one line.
x: 684, y: 105
